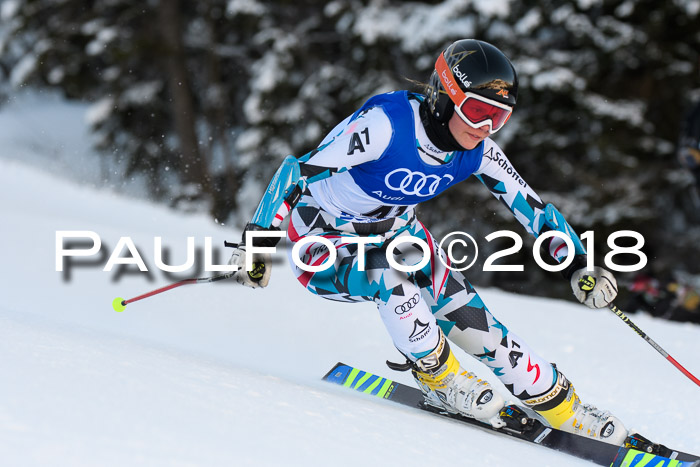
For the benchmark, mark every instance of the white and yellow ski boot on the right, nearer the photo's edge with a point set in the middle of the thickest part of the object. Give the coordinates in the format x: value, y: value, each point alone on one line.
x: 562, y: 408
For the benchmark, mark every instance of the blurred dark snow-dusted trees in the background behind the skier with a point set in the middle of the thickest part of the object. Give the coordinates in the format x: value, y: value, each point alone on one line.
x: 207, y: 97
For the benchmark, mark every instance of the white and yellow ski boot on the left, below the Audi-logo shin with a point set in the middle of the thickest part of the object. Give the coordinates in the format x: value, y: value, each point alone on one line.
x: 446, y: 385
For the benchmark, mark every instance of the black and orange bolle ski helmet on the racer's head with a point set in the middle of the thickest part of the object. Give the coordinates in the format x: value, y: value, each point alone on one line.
x: 477, y: 67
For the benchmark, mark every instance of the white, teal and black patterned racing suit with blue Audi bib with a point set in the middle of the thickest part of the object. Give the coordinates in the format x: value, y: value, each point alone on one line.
x: 365, y: 179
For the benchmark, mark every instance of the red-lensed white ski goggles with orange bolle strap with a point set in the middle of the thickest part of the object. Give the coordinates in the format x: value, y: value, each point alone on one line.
x: 475, y: 110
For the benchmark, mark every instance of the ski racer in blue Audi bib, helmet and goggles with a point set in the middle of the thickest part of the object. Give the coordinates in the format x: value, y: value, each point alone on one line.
x: 366, y: 178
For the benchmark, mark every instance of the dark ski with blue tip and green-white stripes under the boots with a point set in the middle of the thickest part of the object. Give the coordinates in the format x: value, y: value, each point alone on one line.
x: 637, y: 452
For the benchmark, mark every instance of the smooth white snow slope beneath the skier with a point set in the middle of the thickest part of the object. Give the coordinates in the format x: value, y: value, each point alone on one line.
x: 221, y: 375
